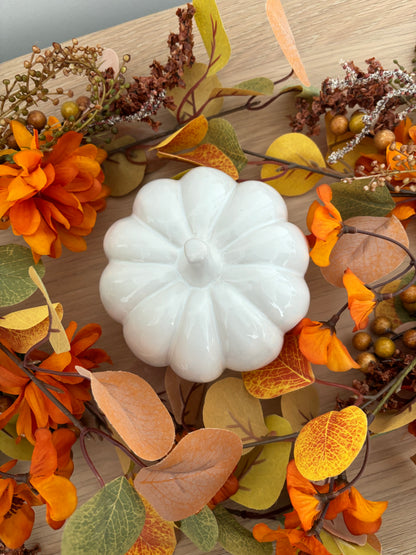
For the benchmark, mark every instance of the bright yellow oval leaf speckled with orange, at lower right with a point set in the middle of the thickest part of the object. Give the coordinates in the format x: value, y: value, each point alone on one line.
x: 328, y: 444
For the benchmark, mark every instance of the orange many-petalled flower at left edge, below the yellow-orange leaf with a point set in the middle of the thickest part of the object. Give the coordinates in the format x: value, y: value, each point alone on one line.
x: 34, y: 409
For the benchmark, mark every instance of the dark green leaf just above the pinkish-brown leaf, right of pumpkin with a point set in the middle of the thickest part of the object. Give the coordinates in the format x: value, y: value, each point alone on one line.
x: 352, y: 200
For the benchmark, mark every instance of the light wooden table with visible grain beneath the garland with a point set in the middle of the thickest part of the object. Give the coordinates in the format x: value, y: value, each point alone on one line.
x: 326, y: 31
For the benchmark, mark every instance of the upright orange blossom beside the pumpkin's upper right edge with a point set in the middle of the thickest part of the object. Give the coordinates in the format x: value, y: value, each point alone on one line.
x: 326, y: 225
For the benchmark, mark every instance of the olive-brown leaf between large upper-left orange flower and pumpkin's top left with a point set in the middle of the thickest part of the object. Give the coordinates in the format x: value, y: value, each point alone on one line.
x: 124, y: 171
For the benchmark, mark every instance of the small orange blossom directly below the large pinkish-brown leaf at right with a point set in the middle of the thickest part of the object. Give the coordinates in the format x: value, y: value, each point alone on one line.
x: 361, y: 300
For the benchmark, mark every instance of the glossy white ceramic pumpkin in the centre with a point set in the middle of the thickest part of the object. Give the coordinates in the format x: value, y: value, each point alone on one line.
x: 205, y: 274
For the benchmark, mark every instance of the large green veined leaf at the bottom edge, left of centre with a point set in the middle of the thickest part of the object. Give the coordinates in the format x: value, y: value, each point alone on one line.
x: 107, y: 524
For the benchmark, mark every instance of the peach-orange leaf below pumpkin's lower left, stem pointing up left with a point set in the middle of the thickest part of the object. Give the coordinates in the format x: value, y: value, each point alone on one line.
x: 134, y: 410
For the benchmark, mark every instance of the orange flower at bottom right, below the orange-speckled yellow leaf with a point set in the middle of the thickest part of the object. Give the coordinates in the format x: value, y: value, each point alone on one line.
x: 360, y: 515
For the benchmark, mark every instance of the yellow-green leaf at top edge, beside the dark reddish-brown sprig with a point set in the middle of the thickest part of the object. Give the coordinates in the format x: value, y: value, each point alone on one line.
x: 213, y: 34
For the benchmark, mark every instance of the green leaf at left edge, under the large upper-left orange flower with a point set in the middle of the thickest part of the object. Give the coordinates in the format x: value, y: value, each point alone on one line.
x: 15, y: 283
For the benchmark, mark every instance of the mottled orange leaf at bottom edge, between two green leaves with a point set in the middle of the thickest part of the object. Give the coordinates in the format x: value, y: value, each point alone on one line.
x: 157, y: 536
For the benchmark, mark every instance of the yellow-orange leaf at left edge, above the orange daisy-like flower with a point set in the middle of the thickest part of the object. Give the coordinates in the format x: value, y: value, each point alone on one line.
x: 24, y: 328
